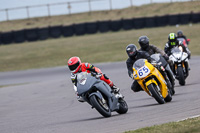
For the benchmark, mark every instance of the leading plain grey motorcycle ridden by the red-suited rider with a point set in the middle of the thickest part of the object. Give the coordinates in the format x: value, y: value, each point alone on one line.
x: 99, y: 95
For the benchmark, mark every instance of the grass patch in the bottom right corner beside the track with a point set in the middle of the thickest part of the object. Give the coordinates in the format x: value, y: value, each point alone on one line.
x: 186, y: 126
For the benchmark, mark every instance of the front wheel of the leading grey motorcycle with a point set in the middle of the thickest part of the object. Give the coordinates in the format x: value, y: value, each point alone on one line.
x: 100, y: 106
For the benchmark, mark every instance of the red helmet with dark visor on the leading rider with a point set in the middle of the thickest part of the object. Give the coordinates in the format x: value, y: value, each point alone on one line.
x: 74, y: 64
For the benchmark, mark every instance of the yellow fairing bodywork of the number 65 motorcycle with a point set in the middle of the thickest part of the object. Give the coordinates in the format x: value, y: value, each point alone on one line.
x: 154, y: 73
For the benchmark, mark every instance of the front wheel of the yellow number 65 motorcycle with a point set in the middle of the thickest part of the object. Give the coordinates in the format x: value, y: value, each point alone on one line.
x: 155, y: 93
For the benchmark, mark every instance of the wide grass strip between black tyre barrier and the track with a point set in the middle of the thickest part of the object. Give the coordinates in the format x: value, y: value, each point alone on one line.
x: 107, y: 47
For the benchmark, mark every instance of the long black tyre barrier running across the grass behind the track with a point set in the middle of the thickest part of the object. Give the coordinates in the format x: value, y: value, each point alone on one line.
x: 99, y: 26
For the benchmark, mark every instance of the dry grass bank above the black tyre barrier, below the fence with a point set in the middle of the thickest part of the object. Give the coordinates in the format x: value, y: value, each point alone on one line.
x: 132, y: 12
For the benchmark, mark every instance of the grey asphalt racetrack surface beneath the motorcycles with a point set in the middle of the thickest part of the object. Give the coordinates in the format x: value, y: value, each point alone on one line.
x: 43, y: 101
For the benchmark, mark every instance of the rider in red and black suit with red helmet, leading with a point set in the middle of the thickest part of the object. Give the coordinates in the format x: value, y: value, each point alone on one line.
x: 75, y: 66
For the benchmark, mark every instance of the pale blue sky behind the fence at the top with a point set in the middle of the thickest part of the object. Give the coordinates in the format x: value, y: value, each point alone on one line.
x: 63, y: 8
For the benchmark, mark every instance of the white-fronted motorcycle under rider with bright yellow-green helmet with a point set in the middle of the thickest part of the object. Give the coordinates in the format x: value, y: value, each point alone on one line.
x: 180, y: 64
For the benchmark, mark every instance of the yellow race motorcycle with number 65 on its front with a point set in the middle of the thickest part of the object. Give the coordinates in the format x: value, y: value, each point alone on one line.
x: 151, y: 81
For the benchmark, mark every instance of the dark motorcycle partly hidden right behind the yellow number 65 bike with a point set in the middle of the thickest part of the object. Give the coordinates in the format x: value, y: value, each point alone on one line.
x: 165, y: 70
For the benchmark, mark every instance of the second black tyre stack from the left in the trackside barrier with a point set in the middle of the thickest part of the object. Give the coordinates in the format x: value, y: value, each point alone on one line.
x: 19, y: 36
